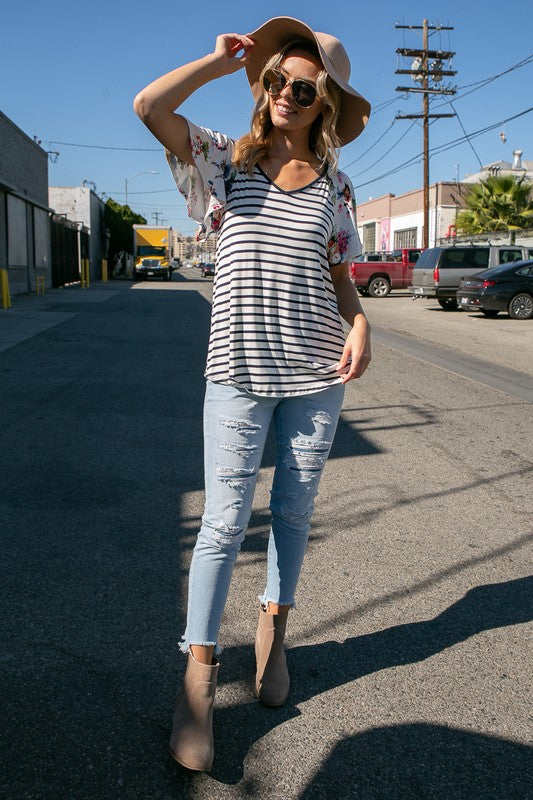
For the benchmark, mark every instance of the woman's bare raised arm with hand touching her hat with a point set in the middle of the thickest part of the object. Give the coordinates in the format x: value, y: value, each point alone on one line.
x: 156, y: 104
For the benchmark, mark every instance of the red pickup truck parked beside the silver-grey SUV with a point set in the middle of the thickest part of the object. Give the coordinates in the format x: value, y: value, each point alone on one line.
x: 375, y: 274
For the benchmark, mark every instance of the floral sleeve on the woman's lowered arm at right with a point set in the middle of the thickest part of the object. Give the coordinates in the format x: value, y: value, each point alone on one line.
x: 344, y: 243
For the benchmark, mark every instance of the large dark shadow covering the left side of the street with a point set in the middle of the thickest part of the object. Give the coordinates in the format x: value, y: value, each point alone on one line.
x: 101, y: 434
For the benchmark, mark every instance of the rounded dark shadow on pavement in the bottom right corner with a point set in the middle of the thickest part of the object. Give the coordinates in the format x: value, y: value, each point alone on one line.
x: 424, y: 761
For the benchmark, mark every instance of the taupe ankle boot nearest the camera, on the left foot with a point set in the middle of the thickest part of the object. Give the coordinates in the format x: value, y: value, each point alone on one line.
x: 191, y: 740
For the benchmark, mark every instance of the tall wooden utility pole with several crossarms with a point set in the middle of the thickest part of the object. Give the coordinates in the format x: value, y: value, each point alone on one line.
x: 427, y: 66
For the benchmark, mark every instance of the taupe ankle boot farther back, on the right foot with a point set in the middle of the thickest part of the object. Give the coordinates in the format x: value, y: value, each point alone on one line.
x: 272, y: 678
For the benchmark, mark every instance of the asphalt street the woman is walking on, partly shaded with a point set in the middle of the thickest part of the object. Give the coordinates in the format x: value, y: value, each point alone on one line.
x: 410, y: 647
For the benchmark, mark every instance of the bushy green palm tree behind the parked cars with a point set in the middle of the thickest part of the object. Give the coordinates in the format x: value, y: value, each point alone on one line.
x: 498, y: 203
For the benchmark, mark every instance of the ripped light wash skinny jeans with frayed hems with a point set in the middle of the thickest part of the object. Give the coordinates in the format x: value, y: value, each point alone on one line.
x: 236, y: 424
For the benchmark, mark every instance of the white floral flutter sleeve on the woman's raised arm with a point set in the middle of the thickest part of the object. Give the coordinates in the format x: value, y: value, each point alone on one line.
x: 205, y: 184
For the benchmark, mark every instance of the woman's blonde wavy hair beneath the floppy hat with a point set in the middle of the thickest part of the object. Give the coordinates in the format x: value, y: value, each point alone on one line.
x: 323, y: 139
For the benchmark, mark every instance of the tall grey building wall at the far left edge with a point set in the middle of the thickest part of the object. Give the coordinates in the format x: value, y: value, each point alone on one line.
x: 24, y: 218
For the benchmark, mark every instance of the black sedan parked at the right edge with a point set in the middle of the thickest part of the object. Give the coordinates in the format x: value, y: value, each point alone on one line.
x: 504, y: 288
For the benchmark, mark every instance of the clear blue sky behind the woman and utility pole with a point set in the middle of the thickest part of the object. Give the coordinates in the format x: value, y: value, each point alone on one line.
x: 70, y: 72
